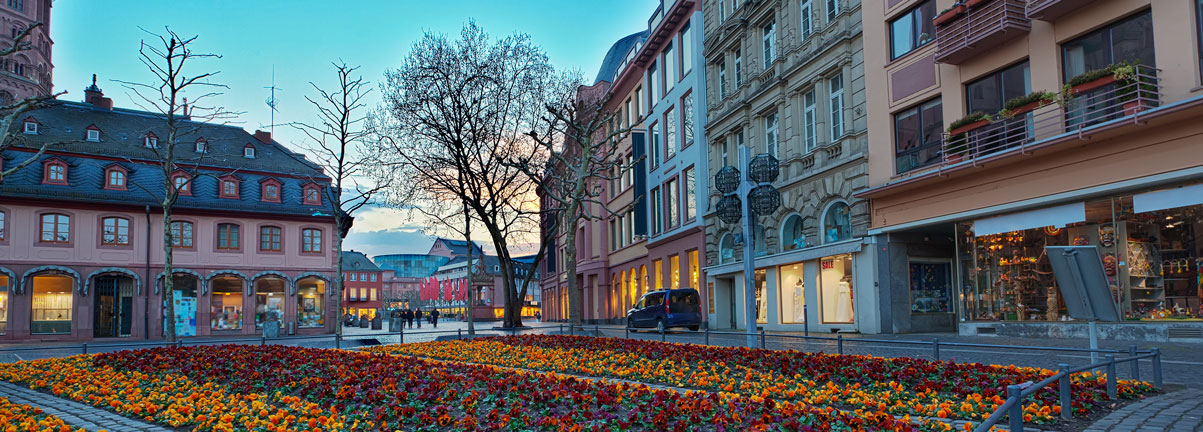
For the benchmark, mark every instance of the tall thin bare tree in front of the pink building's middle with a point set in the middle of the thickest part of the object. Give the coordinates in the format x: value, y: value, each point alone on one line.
x: 167, y: 56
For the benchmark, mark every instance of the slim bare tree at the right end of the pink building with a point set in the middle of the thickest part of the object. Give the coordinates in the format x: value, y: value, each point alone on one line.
x: 337, y: 141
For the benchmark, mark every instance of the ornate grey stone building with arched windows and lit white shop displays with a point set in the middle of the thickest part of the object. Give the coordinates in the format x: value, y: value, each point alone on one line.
x: 787, y: 79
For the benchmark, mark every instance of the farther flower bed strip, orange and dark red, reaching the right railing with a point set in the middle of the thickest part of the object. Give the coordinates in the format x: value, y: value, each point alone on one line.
x: 900, y: 387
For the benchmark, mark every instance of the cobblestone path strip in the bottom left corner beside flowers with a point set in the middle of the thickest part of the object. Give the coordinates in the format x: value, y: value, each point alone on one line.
x: 75, y: 415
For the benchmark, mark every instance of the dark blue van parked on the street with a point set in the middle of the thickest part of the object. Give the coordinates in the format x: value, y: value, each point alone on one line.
x: 663, y: 310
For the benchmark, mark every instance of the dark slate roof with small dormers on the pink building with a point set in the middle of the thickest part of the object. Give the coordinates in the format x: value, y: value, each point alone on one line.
x: 122, y: 143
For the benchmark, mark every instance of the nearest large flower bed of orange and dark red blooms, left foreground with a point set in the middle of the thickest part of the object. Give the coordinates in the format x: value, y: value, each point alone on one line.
x: 297, y: 389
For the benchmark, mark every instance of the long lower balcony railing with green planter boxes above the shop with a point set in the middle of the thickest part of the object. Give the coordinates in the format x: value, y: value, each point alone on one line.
x: 1088, y: 108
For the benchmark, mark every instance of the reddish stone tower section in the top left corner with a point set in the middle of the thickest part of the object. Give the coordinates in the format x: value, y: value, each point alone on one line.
x: 29, y: 73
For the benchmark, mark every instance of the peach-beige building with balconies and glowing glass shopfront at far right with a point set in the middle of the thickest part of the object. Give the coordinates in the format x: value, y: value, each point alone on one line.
x: 1005, y: 127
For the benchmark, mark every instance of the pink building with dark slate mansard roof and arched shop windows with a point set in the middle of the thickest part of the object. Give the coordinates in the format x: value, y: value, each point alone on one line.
x: 81, y: 234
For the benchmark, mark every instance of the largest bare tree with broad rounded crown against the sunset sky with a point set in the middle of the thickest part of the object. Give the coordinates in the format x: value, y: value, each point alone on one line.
x: 459, y: 111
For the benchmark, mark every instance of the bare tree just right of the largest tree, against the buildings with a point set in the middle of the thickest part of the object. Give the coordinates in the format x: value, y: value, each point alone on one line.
x: 580, y: 155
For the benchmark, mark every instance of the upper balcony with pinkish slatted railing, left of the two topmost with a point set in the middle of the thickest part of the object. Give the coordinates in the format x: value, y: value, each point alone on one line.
x: 985, y: 25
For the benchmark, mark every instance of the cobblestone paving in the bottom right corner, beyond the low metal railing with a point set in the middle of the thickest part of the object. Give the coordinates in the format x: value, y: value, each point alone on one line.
x: 1177, y: 412
